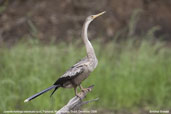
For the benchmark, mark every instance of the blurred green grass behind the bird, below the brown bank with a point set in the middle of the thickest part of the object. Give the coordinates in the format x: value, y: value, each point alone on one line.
x: 130, y: 75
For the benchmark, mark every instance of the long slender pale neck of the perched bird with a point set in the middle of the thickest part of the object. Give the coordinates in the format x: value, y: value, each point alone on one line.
x: 89, y: 48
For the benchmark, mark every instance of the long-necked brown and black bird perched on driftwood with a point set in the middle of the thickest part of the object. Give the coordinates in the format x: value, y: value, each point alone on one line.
x: 74, y: 76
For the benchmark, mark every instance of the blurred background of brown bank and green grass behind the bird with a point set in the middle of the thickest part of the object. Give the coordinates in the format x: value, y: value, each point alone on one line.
x: 41, y: 39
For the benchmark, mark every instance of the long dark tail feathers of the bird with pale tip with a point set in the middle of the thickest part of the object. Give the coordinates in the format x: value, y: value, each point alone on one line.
x: 38, y: 94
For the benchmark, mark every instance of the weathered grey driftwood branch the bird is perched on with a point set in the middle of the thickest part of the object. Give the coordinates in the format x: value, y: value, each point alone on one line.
x: 76, y: 102
